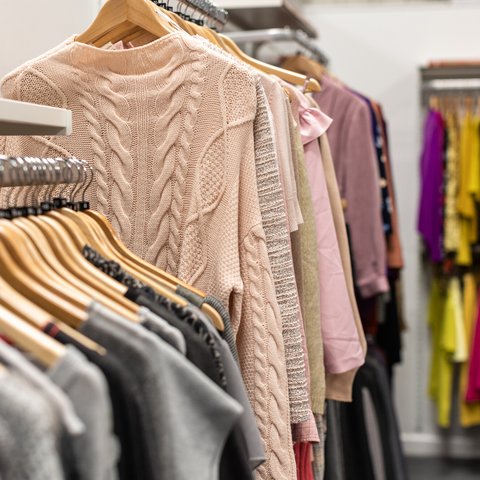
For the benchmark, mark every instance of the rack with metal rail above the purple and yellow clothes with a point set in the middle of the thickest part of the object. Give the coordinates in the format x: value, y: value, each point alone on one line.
x: 449, y: 79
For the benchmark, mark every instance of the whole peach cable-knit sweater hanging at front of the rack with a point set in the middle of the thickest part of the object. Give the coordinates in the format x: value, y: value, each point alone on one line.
x: 168, y: 128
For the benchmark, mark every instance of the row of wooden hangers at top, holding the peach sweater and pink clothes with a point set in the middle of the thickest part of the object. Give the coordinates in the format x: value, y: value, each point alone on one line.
x: 141, y: 21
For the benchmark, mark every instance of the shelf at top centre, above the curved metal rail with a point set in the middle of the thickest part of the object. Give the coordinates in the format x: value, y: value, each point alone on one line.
x: 261, y: 14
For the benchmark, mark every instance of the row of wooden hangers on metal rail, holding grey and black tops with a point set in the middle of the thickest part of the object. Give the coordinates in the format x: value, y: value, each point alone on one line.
x: 43, y: 274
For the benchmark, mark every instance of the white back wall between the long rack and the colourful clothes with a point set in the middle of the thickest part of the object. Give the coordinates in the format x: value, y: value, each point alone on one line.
x: 378, y: 48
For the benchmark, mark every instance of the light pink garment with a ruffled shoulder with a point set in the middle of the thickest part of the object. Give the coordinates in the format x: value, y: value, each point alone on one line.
x: 342, y: 348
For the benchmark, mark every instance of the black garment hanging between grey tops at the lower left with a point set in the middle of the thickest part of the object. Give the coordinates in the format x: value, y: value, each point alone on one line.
x: 126, y: 410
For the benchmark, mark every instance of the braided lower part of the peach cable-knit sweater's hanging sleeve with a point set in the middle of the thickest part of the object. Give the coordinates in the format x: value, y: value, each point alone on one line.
x: 268, y: 388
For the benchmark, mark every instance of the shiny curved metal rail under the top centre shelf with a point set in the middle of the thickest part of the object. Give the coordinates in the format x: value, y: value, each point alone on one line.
x: 279, y: 34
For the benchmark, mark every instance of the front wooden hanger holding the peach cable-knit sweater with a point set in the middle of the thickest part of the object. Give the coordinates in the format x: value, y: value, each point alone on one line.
x: 118, y: 18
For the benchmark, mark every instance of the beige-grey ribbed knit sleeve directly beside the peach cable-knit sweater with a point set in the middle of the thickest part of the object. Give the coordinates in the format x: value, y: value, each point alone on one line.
x: 274, y: 223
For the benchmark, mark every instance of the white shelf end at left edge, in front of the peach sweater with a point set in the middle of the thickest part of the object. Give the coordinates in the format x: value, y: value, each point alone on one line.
x: 22, y: 118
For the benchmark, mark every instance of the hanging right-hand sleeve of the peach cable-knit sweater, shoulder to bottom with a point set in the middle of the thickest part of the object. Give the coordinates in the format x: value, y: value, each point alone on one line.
x: 253, y: 305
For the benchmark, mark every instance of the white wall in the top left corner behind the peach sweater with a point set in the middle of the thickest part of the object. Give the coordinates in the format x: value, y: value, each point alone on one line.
x: 31, y: 27
